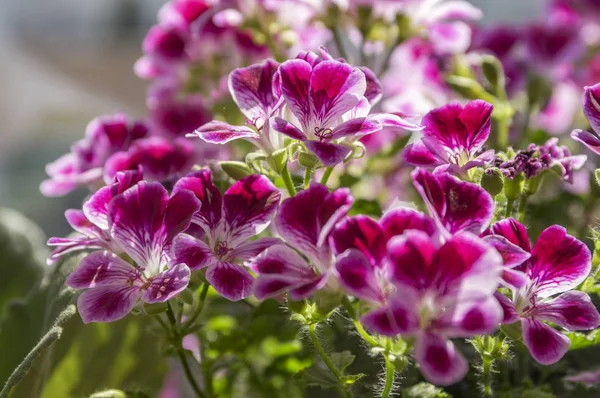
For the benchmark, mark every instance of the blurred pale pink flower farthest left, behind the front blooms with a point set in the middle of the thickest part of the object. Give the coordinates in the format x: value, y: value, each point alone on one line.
x: 83, y: 166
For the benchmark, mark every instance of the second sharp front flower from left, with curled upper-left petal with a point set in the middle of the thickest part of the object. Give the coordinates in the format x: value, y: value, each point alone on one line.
x: 229, y: 221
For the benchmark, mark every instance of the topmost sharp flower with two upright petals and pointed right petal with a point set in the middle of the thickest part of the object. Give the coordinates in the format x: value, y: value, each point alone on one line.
x: 327, y: 97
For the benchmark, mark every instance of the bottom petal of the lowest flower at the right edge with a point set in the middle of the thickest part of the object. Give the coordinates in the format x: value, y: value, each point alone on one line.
x: 546, y: 345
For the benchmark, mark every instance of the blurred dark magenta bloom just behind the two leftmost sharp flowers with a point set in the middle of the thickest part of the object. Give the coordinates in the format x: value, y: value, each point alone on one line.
x: 159, y: 158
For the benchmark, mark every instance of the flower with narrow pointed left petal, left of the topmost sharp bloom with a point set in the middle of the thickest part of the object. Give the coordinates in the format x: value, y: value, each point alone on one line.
x: 258, y: 98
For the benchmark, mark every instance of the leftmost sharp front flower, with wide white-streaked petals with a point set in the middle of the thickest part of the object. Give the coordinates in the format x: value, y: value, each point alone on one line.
x: 143, y: 221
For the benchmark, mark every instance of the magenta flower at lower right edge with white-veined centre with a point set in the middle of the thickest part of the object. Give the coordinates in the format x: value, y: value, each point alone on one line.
x: 558, y: 264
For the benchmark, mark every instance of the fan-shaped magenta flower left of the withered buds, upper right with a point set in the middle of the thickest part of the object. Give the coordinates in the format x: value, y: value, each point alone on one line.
x: 453, y: 137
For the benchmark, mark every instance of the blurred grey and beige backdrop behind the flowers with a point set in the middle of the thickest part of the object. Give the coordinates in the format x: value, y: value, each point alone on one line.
x: 63, y: 62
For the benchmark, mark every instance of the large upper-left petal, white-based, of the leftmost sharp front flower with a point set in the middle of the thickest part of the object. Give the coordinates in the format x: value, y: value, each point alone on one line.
x: 136, y: 222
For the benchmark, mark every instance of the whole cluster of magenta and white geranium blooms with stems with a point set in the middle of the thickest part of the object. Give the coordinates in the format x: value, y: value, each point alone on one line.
x: 297, y: 215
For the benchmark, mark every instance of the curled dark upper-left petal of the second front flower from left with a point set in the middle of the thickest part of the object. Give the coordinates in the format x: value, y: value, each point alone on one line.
x: 201, y: 184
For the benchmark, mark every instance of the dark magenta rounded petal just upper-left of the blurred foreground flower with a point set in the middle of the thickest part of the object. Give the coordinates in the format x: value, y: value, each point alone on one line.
x: 362, y: 233
